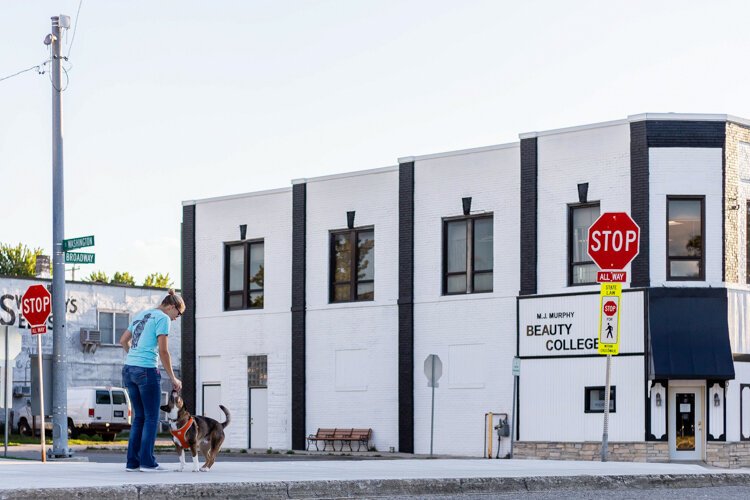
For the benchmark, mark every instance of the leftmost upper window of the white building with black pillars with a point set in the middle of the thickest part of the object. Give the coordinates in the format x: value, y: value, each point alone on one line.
x: 243, y: 275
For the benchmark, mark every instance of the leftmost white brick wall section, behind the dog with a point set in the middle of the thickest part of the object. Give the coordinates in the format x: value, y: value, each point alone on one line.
x: 235, y: 335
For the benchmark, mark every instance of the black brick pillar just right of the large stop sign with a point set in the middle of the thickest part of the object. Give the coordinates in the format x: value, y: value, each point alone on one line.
x: 639, y: 201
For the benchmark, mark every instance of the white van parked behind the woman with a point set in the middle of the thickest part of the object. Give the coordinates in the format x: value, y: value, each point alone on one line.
x: 102, y: 410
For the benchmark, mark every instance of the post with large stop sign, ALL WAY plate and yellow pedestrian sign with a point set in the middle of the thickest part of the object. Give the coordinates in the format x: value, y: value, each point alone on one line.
x: 613, y: 242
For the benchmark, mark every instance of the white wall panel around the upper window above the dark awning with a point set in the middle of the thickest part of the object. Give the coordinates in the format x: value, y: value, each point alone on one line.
x: 685, y: 171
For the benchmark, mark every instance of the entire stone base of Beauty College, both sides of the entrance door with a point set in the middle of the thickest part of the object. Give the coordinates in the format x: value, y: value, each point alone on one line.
x: 718, y: 453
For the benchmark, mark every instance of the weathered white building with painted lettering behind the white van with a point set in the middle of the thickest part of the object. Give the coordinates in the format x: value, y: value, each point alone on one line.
x: 97, y: 315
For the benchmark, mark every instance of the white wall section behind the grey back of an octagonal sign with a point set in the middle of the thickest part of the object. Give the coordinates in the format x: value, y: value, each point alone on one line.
x: 480, y: 326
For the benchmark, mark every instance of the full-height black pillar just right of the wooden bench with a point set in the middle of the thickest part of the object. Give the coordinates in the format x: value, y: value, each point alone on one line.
x: 406, y: 308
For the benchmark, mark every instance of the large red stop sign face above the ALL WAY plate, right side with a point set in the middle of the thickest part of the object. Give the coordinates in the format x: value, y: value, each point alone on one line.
x: 613, y: 240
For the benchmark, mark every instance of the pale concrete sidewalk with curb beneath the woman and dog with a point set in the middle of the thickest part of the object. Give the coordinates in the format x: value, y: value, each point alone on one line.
x: 338, y: 478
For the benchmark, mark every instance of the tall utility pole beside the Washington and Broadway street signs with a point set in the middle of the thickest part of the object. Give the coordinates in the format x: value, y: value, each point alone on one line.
x: 59, y: 369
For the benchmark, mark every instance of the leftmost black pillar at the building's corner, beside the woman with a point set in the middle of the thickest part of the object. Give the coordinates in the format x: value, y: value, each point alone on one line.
x: 187, y: 357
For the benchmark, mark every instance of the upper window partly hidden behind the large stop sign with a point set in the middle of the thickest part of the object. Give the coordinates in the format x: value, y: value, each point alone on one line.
x: 581, y: 269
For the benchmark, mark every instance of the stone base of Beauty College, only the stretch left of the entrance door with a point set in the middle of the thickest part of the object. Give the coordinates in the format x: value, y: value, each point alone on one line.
x: 651, y: 451
